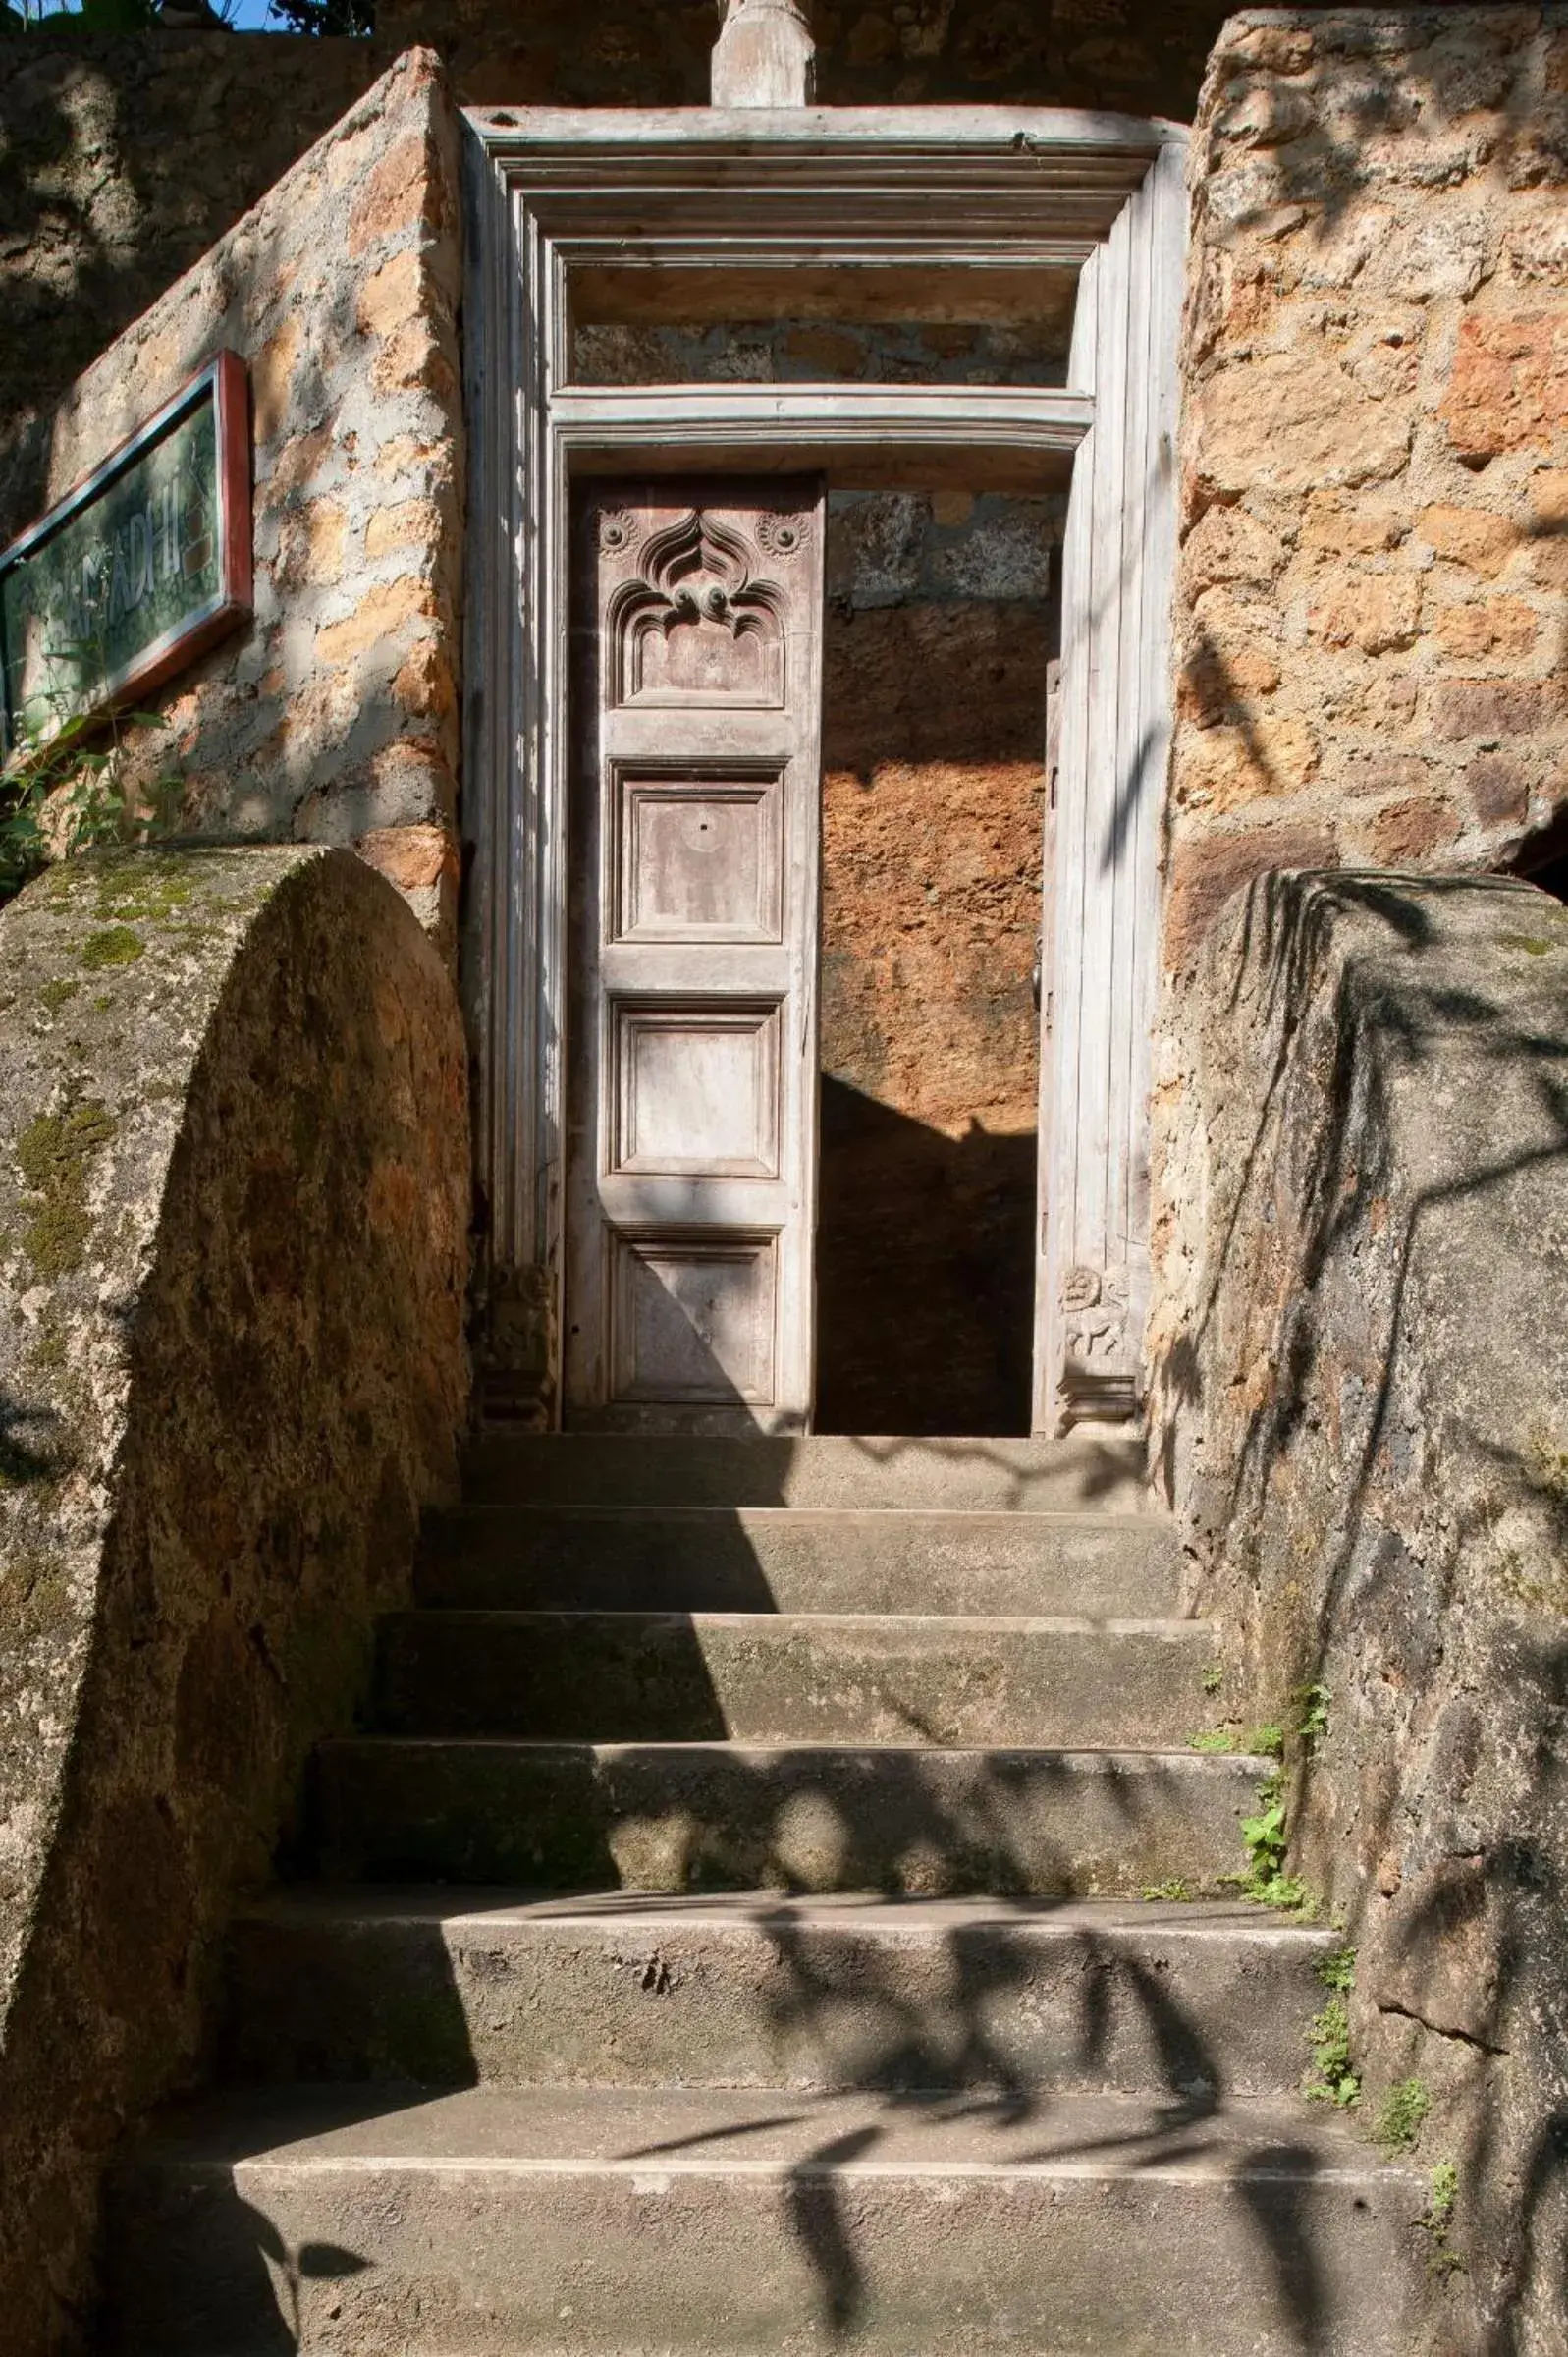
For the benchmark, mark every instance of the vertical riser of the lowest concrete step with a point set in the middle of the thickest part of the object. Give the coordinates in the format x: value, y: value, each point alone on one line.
x: 664, y: 2259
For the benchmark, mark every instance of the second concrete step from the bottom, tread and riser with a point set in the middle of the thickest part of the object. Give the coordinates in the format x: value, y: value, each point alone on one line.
x: 767, y: 1990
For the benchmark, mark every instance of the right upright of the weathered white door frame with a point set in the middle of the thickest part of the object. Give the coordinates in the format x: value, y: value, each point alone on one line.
x: 1119, y: 574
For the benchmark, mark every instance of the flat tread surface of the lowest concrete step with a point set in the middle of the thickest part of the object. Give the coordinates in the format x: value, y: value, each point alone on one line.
x: 763, y: 2134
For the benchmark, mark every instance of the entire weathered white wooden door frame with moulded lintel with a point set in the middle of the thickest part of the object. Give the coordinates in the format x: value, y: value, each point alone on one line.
x: 668, y: 202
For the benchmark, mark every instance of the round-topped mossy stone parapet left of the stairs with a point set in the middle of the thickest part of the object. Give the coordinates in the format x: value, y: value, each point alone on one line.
x: 232, y: 1265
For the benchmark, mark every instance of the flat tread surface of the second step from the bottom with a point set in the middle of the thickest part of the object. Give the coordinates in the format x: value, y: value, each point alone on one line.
x: 867, y: 1915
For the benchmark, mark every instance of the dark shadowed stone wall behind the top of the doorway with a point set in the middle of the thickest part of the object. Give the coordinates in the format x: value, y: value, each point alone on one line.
x: 126, y: 159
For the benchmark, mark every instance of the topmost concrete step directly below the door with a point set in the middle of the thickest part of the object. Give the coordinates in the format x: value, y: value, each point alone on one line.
x: 1091, y: 1472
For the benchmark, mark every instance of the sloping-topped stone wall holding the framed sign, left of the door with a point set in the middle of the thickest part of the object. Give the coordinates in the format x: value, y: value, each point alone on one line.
x: 334, y: 718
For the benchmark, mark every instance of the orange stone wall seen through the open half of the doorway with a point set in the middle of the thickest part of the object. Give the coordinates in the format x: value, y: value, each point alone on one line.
x: 942, y: 621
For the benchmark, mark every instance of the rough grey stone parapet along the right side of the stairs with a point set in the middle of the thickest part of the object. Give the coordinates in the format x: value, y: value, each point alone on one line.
x: 1364, y: 1422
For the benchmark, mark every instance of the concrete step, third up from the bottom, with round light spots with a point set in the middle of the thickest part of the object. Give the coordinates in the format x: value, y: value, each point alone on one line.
x: 793, y: 1816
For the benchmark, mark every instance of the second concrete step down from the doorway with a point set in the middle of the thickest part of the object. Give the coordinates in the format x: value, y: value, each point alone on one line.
x: 801, y: 1559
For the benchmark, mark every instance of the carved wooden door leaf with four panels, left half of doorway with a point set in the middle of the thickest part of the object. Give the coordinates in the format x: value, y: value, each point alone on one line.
x: 694, y: 930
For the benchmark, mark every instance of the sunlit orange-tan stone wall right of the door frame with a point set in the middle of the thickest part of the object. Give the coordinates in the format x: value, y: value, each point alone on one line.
x: 1373, y: 475
